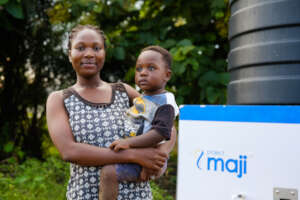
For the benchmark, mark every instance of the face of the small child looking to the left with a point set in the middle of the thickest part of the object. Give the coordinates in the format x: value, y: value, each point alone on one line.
x: 151, y: 72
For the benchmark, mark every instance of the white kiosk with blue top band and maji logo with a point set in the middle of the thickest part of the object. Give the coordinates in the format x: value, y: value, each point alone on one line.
x: 238, y: 153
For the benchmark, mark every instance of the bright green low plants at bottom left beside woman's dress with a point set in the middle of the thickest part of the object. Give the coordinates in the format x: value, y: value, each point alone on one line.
x: 33, y: 179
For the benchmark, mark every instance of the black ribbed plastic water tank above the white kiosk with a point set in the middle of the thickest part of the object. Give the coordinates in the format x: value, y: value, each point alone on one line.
x: 264, y: 57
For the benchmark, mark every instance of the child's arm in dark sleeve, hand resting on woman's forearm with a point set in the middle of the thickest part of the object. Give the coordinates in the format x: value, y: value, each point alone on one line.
x: 161, y: 130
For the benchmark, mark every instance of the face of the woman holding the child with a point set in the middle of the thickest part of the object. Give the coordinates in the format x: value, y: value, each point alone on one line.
x: 87, y: 53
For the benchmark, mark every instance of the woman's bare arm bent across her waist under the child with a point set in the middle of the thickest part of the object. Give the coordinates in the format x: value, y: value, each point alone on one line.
x: 89, y: 155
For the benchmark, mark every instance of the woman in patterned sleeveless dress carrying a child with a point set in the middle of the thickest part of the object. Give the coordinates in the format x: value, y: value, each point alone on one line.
x: 86, y: 118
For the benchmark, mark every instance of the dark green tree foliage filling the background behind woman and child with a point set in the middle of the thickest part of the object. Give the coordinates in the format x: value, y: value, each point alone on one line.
x: 33, y: 57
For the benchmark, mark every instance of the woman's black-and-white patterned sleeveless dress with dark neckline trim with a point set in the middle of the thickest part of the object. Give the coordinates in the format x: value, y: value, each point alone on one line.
x: 98, y: 124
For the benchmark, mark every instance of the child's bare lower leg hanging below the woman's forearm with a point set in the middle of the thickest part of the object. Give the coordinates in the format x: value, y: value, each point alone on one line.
x: 109, y: 186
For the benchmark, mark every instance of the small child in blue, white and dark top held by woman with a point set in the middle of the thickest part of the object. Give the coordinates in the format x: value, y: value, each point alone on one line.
x: 149, y: 121
